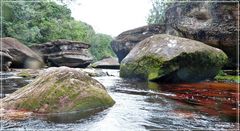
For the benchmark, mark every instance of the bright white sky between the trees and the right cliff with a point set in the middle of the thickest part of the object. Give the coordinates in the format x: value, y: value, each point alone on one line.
x: 112, y: 16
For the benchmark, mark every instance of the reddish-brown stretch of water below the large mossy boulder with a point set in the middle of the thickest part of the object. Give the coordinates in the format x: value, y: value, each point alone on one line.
x: 212, y: 98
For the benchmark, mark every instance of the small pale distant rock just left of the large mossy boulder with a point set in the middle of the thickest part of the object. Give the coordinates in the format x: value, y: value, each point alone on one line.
x: 107, y: 63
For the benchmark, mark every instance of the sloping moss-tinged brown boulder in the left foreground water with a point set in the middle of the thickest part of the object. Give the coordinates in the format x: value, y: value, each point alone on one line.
x: 60, y: 89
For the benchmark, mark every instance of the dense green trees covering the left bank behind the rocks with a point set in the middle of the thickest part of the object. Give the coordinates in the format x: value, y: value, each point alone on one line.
x: 40, y: 22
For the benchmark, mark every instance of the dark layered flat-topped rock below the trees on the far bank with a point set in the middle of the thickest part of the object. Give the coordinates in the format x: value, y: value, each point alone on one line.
x: 65, y: 53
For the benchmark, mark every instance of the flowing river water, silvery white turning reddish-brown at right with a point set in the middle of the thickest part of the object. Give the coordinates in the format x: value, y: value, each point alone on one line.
x: 147, y: 106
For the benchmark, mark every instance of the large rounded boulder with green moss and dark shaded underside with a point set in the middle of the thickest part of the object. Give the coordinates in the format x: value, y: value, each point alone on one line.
x: 167, y: 58
